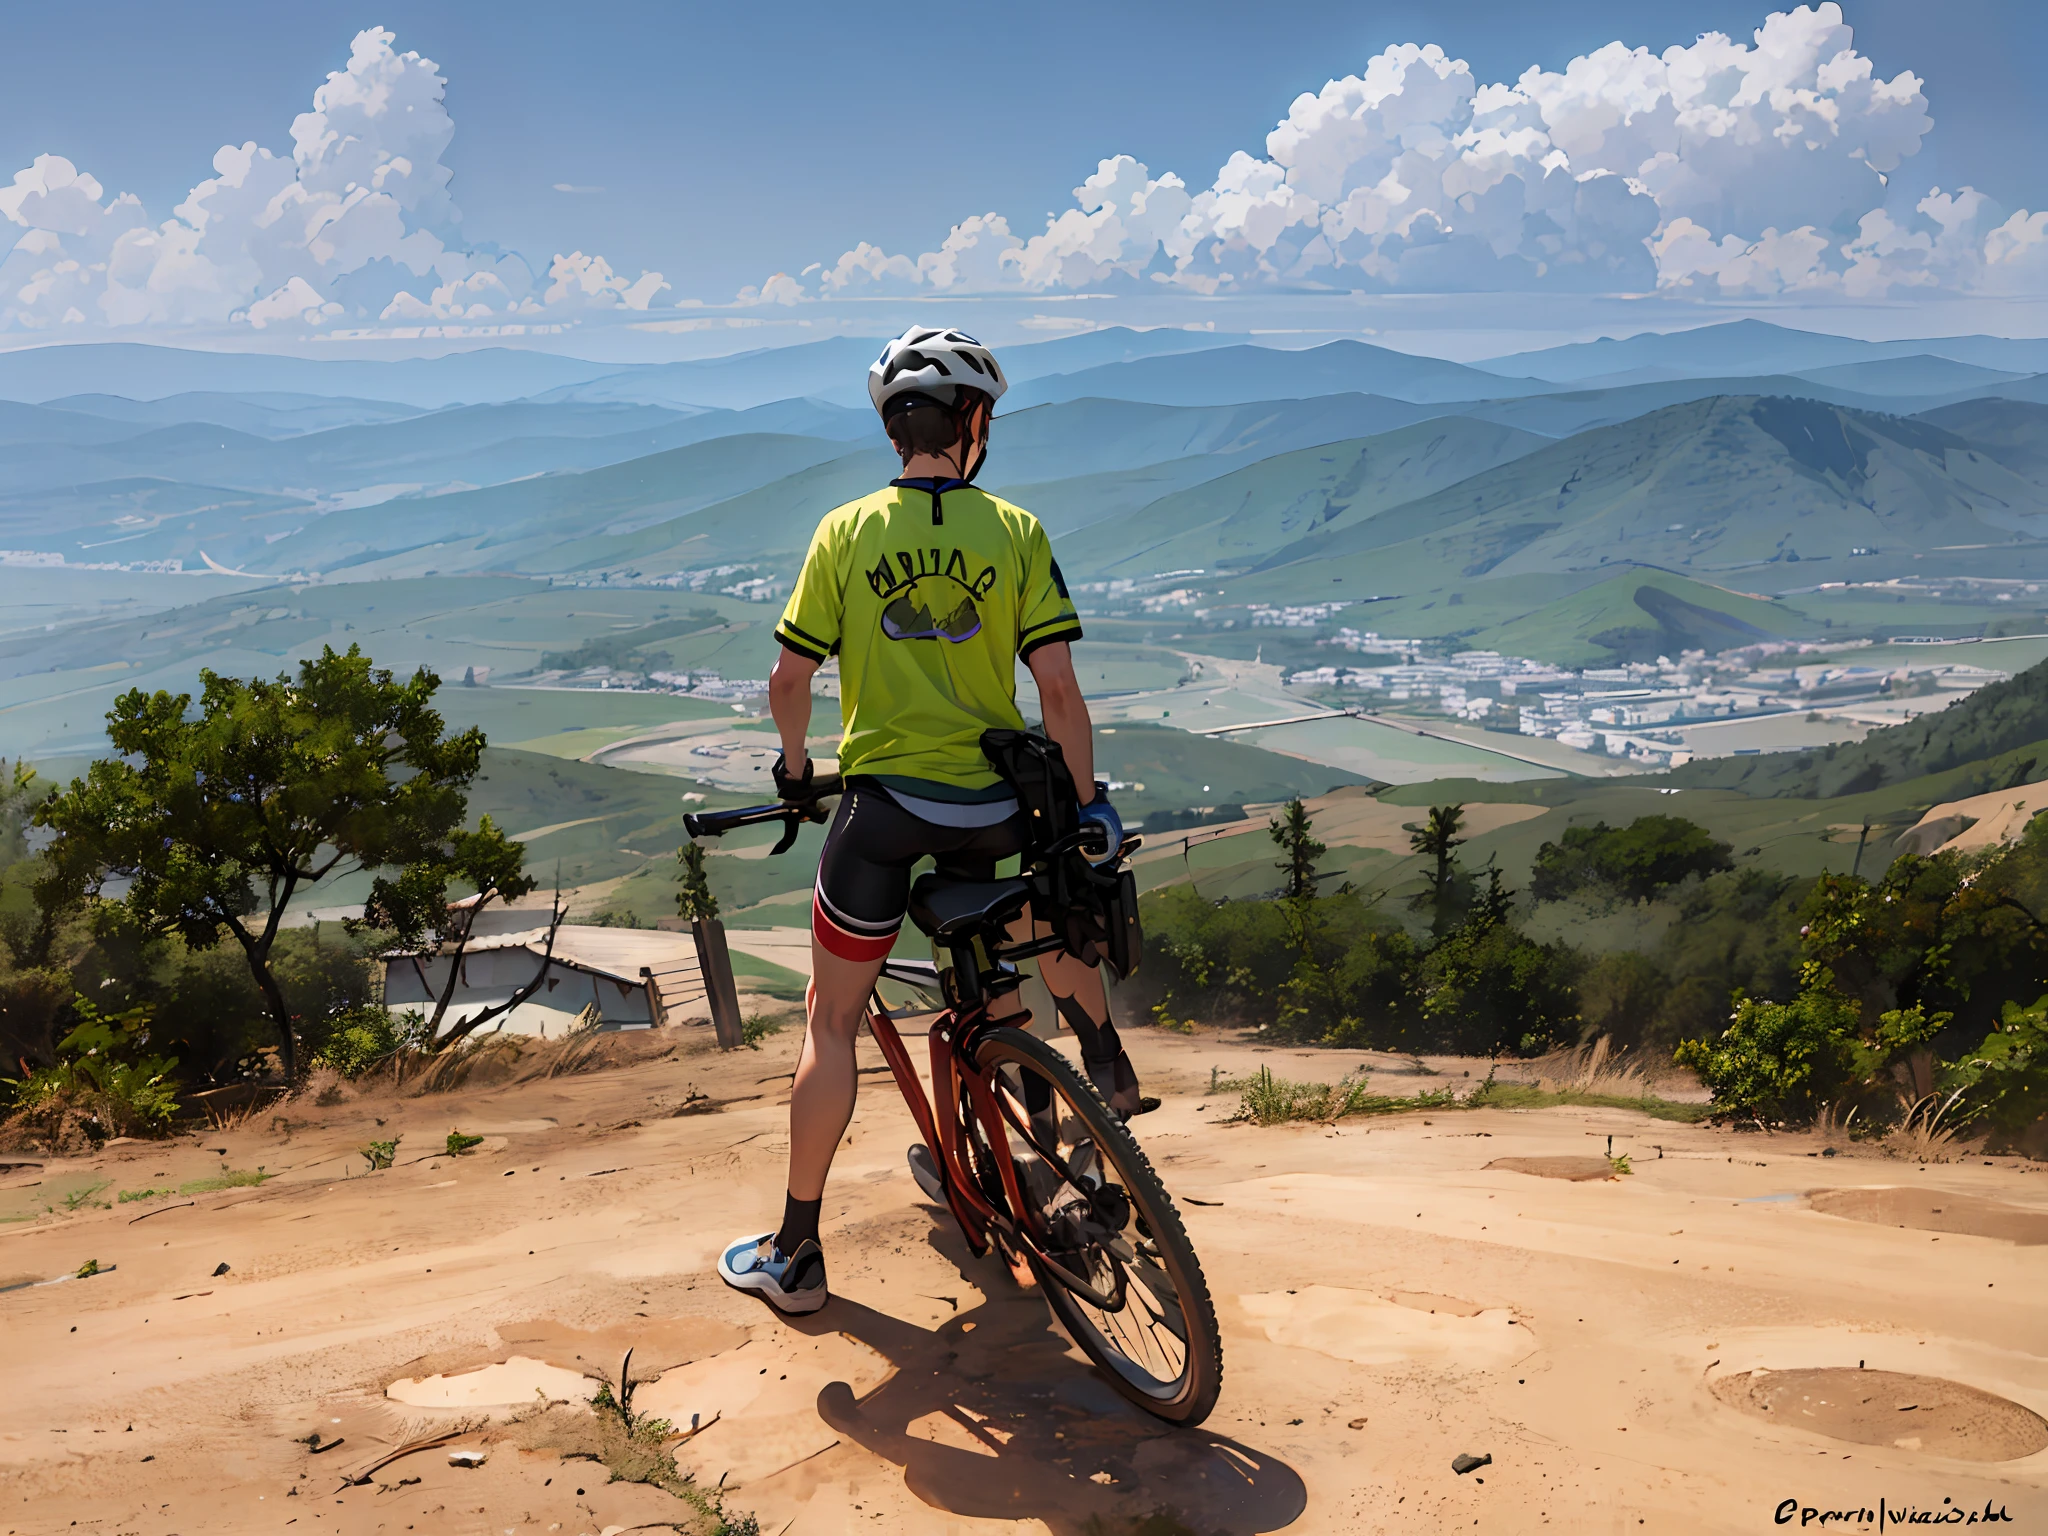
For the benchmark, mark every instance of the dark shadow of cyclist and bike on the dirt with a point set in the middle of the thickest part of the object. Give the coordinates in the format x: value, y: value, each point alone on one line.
x: 996, y: 1416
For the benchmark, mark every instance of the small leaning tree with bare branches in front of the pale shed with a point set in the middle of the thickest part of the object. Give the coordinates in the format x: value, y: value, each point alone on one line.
x: 417, y: 908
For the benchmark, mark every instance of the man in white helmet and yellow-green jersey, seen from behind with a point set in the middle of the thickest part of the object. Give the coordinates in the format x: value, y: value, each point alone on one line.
x: 929, y: 593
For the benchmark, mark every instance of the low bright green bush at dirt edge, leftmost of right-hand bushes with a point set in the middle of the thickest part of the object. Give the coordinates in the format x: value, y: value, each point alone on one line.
x: 1779, y: 1062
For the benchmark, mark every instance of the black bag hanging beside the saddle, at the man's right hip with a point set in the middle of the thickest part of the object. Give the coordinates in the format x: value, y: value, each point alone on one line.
x: 1095, y: 910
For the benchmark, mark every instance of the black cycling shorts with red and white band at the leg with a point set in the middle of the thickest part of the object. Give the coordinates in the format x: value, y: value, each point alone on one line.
x: 863, y: 878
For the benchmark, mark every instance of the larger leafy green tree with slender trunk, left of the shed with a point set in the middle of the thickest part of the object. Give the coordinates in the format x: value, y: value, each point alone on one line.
x: 216, y: 820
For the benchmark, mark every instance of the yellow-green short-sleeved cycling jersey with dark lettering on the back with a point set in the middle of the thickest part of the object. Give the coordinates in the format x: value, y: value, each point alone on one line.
x: 929, y: 597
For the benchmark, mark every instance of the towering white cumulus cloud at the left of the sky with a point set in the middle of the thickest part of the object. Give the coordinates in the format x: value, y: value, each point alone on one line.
x: 357, y: 224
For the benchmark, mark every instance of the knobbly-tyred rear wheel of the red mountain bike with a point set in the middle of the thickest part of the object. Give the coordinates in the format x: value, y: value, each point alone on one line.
x: 1117, y: 1269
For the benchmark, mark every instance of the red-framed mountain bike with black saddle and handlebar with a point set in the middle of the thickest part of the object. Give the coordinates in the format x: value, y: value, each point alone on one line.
x: 1029, y: 1158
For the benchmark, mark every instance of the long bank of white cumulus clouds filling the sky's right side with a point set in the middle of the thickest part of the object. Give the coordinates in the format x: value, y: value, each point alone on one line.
x: 1781, y: 165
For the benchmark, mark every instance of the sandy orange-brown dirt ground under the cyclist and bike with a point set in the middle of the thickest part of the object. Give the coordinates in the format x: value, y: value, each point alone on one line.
x: 1719, y: 1340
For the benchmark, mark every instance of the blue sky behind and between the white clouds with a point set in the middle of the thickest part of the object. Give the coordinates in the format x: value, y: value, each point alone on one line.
x: 722, y: 144
